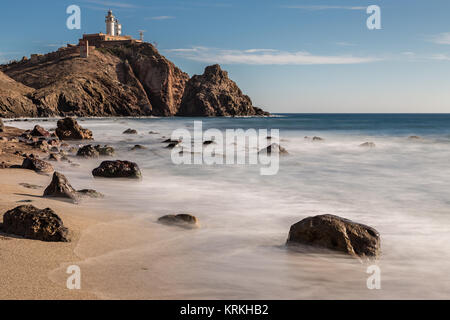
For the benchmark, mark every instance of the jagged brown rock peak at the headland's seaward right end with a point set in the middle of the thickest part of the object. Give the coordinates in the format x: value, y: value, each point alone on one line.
x: 214, y: 94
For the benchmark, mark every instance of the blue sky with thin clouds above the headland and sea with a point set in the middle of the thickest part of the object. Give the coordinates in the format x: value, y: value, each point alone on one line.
x: 287, y: 55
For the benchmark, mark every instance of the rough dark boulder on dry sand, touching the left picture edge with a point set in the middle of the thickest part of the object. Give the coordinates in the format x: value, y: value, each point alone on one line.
x: 32, y: 223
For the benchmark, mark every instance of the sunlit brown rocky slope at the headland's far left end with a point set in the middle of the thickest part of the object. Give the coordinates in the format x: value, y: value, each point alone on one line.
x: 14, y: 100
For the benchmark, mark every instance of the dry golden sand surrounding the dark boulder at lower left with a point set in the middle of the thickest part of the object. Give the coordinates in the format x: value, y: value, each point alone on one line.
x: 26, y: 263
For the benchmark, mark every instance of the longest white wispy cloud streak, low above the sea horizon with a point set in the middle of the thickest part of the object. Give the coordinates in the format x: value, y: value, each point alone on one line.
x: 265, y: 57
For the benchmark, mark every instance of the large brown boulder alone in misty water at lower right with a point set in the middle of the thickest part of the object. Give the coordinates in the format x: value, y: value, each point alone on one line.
x: 336, y: 233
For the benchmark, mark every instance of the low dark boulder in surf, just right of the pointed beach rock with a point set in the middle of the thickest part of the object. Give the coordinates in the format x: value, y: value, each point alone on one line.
x: 117, y: 169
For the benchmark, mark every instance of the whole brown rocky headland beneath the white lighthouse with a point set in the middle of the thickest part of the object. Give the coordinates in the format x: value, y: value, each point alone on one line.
x: 116, y: 80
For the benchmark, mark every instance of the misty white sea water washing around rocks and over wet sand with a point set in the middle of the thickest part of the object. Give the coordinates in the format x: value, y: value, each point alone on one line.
x: 401, y: 187
